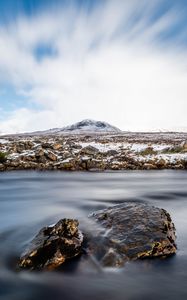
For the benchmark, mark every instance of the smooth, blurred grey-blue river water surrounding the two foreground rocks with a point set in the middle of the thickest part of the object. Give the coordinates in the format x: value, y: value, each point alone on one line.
x: 30, y: 200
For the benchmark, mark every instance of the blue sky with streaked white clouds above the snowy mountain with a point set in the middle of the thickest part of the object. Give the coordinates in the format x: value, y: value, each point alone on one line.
x: 119, y: 61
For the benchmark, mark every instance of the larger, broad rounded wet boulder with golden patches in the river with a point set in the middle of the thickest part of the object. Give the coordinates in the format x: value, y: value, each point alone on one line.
x: 130, y: 231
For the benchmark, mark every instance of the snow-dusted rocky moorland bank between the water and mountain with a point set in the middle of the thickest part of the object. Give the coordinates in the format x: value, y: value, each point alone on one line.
x: 83, y: 152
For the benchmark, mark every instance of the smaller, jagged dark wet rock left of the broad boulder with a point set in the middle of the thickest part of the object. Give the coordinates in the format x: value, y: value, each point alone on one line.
x: 52, y: 246
